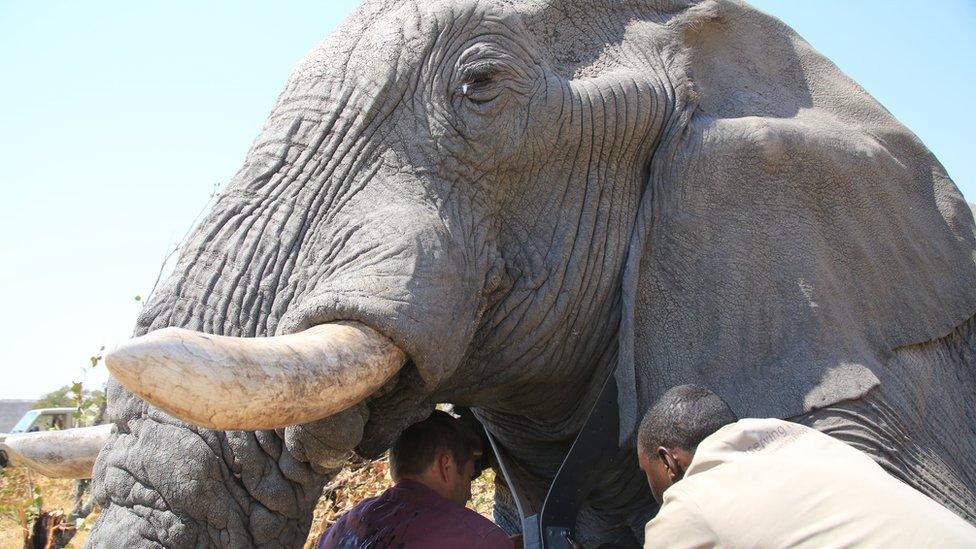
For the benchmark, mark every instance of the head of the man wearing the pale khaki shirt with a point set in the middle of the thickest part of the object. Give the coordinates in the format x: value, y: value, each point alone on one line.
x: 672, y: 429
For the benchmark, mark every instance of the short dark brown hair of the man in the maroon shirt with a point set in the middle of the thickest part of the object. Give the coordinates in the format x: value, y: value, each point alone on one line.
x: 420, y: 444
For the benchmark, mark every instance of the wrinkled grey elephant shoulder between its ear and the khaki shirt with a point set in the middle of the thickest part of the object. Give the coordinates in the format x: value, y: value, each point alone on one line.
x: 917, y: 424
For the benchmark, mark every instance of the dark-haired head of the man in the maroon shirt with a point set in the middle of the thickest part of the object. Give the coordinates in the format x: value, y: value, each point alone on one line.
x: 438, y: 452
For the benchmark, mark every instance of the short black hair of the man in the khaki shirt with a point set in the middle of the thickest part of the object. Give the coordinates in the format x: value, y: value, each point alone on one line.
x: 682, y: 418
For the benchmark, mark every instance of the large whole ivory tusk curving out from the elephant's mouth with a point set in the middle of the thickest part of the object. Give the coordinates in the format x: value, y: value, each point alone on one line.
x: 255, y: 383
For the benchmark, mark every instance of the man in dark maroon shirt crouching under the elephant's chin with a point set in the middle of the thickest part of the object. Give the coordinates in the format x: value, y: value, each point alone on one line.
x: 432, y: 464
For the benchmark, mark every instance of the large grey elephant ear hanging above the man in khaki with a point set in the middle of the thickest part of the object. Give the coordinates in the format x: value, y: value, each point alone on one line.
x: 792, y: 233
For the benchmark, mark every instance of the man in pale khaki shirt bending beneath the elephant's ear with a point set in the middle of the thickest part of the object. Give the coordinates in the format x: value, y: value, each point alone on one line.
x: 772, y: 483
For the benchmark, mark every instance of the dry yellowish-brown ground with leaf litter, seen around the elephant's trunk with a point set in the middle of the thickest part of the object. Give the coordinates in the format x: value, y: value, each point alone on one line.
x: 356, y: 482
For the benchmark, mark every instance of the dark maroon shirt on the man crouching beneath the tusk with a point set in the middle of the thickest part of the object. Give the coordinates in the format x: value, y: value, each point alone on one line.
x: 411, y: 515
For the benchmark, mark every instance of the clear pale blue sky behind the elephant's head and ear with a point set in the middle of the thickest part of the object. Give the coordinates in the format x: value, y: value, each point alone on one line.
x: 118, y: 119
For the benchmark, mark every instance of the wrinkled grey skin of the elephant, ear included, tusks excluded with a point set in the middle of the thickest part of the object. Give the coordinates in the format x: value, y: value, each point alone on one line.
x: 523, y: 195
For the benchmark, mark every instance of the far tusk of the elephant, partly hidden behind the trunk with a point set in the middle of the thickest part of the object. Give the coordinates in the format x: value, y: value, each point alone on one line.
x: 69, y: 453
